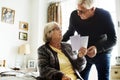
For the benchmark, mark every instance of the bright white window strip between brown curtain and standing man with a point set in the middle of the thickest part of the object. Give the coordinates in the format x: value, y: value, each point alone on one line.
x: 66, y: 11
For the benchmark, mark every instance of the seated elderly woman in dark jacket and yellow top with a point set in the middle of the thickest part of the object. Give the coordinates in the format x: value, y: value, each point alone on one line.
x: 56, y: 60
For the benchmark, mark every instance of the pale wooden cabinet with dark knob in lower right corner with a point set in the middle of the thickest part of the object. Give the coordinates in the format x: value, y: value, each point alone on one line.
x: 115, y: 72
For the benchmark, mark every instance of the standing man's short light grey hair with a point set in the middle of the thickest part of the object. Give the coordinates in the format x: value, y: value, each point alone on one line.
x: 86, y: 3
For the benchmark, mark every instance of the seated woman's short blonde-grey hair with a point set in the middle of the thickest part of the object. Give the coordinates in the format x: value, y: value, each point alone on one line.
x: 48, y: 31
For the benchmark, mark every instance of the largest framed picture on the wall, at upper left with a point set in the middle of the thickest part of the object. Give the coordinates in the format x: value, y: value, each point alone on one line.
x: 7, y: 15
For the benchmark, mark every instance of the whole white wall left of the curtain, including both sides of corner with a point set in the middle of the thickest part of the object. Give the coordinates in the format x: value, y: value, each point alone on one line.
x: 28, y: 11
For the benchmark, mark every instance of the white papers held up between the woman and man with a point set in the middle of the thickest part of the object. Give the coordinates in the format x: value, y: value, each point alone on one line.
x: 78, y: 41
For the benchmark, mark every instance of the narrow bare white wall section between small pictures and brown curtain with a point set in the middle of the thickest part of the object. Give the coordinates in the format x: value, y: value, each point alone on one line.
x: 39, y: 18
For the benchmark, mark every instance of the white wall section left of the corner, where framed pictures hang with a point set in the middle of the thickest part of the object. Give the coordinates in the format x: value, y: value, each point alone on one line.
x: 9, y: 33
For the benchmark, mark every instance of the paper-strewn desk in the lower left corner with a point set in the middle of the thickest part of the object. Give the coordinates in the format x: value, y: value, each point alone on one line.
x: 26, y: 74
